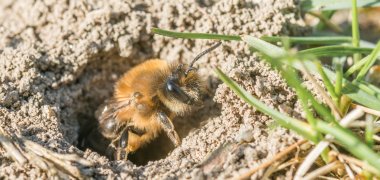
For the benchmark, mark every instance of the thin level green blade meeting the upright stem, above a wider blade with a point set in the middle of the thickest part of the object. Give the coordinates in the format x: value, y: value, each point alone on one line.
x: 320, y: 40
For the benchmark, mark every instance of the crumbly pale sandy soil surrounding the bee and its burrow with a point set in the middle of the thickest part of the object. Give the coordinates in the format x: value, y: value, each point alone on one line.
x: 60, y: 59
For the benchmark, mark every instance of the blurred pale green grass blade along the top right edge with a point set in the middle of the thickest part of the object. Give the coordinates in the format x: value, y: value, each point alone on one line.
x: 323, y: 5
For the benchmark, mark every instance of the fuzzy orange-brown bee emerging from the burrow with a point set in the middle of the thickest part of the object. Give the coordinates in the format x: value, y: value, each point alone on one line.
x: 145, y: 101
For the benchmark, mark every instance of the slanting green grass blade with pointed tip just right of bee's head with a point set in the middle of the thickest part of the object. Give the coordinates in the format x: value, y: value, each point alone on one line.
x: 298, y: 126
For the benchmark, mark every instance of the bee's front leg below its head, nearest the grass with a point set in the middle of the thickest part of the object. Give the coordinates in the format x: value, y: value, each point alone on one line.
x: 168, y: 127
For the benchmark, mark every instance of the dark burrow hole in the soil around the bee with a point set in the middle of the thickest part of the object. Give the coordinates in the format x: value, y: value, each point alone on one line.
x: 97, y: 81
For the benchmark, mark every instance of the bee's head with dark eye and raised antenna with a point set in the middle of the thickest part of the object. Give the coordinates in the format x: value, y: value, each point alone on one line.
x: 184, y: 87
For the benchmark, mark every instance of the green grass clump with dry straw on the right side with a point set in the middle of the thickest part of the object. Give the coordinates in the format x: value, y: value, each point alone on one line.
x: 348, y: 96
